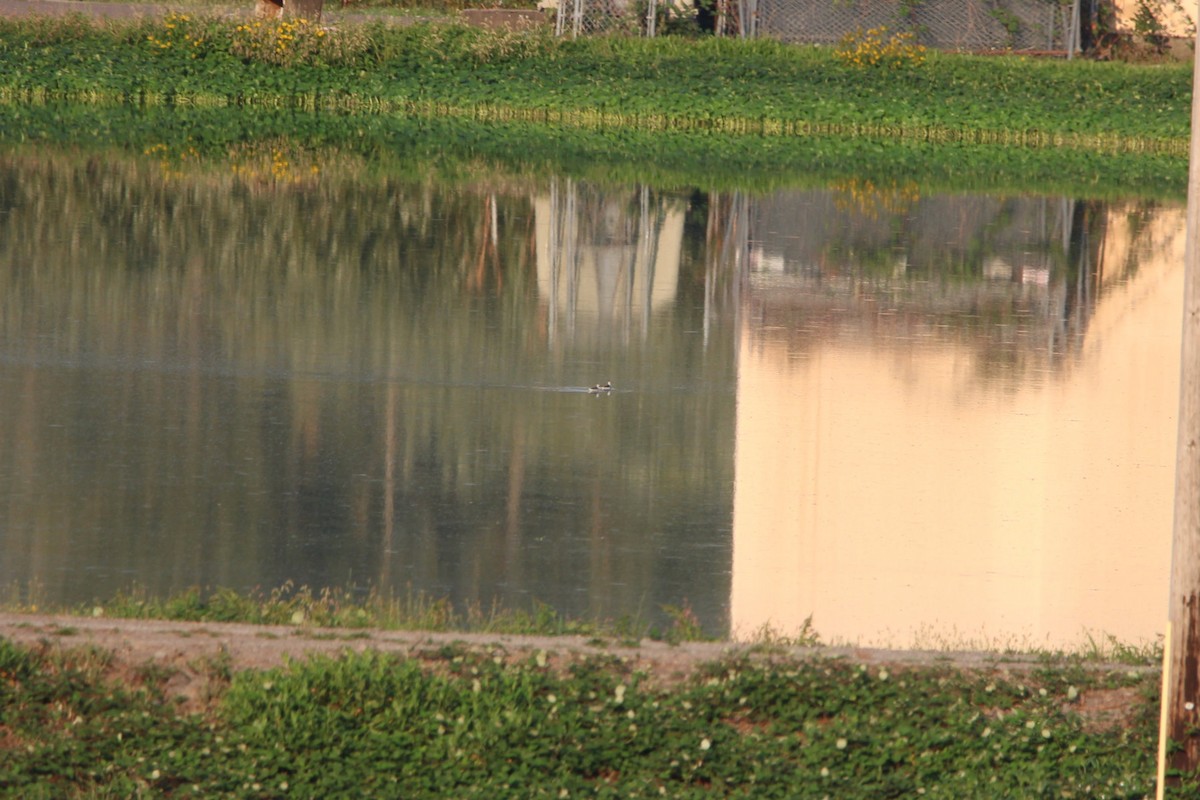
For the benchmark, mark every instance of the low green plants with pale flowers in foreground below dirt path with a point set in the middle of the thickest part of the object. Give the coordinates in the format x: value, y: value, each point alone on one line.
x: 476, y: 724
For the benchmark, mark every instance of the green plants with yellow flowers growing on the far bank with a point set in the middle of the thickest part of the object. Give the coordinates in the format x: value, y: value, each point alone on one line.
x: 719, y: 85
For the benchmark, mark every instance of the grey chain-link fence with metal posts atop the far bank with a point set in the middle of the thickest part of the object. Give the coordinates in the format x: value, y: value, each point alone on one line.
x: 946, y: 25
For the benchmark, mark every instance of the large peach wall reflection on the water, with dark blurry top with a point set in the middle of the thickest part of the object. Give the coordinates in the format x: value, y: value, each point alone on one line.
x: 909, y: 480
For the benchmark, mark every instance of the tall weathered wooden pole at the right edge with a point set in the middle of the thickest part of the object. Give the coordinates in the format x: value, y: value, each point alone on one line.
x: 1184, y: 679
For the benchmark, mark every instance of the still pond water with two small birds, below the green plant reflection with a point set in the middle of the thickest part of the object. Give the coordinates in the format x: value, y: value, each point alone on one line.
x: 910, y: 418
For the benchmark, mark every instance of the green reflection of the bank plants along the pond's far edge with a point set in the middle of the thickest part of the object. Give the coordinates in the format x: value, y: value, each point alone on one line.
x: 196, y: 140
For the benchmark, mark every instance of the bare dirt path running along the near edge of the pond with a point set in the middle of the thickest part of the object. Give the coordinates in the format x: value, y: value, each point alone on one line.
x: 188, y: 651
